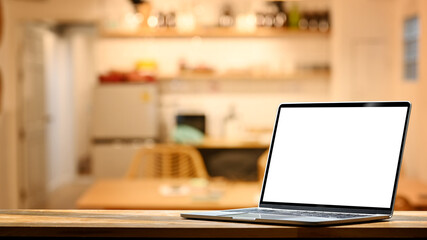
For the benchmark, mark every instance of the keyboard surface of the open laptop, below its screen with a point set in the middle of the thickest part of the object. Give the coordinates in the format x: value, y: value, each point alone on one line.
x: 297, y: 213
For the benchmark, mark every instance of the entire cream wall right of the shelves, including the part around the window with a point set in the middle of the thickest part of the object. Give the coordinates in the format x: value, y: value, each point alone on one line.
x: 367, y: 61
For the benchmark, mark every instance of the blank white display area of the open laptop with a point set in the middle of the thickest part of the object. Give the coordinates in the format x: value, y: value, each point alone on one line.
x: 345, y: 156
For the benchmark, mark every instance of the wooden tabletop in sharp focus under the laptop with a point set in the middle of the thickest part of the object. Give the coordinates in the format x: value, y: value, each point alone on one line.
x: 139, y: 223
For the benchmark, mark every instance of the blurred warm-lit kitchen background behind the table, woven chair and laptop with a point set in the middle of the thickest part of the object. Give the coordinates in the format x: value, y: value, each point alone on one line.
x: 85, y: 83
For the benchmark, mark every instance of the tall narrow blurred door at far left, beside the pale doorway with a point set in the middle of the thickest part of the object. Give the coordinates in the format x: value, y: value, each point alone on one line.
x: 33, y: 119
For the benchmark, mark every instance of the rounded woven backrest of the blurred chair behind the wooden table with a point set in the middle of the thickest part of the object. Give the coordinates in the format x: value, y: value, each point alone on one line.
x: 167, y: 161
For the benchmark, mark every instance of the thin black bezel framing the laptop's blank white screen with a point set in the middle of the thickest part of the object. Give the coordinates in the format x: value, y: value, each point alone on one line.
x: 337, y: 208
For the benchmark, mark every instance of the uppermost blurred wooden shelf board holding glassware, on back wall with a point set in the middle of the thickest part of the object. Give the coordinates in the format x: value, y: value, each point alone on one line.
x: 214, y: 32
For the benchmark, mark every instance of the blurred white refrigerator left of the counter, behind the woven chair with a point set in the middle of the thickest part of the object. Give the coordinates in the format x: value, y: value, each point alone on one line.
x: 125, y: 116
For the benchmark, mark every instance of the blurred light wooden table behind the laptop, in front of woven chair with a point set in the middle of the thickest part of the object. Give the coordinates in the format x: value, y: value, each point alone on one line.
x: 164, y: 194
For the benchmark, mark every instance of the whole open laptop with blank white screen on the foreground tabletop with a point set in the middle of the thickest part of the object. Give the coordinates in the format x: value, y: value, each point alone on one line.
x: 329, y: 163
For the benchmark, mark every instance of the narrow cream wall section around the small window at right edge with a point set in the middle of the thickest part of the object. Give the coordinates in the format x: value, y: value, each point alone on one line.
x: 414, y: 91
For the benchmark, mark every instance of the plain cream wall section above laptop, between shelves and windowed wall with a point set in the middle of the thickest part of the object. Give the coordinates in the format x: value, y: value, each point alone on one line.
x: 362, y: 49
